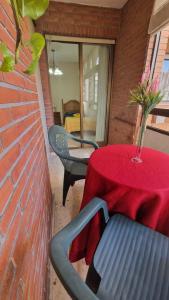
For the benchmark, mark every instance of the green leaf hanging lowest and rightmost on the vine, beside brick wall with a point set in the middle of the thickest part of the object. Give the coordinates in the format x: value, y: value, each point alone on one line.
x: 36, y: 43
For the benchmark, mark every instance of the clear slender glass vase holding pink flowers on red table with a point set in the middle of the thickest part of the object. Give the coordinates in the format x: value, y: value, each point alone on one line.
x: 137, y: 157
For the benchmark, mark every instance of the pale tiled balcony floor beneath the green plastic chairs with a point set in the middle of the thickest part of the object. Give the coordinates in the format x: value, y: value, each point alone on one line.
x: 62, y: 215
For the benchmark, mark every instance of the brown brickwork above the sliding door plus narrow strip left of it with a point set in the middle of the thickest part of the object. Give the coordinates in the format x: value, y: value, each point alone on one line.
x: 74, y: 20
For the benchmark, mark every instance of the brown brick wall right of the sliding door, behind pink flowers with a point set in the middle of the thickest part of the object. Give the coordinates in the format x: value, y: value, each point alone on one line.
x: 130, y: 57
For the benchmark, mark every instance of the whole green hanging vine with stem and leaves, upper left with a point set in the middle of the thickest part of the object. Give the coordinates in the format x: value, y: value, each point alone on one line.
x: 21, y: 9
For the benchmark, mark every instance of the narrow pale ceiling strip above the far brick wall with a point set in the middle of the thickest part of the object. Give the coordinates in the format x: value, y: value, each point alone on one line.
x: 101, y: 3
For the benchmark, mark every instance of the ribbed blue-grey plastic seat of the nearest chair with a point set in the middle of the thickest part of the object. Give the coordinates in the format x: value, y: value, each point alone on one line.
x: 133, y: 262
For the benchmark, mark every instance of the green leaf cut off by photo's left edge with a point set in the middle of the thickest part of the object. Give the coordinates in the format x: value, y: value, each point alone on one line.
x: 8, y: 62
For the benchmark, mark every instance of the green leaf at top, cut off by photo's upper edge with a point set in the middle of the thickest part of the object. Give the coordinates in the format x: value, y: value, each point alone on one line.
x: 32, y: 8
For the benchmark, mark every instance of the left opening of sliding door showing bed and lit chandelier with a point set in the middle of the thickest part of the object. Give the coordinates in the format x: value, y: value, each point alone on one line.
x: 63, y: 61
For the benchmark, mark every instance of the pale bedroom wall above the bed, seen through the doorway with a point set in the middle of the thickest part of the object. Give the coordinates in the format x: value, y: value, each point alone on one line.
x: 67, y: 86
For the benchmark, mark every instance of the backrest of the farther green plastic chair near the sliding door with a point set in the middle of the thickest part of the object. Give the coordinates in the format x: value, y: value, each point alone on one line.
x: 58, y: 140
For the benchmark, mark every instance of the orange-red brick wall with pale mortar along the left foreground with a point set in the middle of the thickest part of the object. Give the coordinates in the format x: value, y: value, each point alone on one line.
x: 25, y: 195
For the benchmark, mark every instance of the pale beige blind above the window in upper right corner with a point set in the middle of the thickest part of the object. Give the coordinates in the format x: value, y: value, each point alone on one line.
x: 160, y: 16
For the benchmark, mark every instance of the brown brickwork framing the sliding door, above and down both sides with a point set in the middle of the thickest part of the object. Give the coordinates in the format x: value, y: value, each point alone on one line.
x: 129, y: 27
